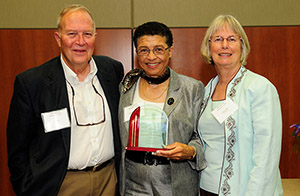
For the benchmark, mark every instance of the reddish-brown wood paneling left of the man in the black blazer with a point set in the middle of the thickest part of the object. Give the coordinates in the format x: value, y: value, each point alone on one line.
x: 19, y: 50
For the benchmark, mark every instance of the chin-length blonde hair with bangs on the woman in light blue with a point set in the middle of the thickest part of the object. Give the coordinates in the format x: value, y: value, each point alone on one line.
x: 223, y: 21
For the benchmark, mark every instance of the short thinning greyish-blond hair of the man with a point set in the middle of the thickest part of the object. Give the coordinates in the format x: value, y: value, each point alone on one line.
x: 73, y: 8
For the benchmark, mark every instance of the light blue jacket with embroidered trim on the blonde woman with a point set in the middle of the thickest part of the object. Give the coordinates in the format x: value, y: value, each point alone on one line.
x: 252, y: 137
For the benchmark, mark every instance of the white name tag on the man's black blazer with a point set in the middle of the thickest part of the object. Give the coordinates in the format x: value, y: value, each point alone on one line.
x: 56, y: 120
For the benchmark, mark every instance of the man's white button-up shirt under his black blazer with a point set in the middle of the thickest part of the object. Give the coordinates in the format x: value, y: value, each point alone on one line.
x: 90, y: 145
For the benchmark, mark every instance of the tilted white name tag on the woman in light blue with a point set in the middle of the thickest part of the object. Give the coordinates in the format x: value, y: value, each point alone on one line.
x: 224, y: 110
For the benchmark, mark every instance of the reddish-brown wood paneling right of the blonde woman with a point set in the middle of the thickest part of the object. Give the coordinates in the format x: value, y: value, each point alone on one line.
x: 275, y: 55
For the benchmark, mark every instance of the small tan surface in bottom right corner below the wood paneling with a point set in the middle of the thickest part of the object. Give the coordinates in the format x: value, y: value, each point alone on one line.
x: 291, y: 186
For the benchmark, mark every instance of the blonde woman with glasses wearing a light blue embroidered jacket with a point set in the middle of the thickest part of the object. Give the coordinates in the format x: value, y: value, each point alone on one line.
x: 241, y: 124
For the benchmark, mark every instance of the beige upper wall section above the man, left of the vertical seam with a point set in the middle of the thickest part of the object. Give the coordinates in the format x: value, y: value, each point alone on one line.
x: 43, y: 13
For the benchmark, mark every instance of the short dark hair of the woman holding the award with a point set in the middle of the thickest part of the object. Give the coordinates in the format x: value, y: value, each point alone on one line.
x: 153, y: 28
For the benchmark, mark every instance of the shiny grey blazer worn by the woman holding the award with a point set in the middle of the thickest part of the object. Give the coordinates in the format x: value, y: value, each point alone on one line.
x: 183, y: 116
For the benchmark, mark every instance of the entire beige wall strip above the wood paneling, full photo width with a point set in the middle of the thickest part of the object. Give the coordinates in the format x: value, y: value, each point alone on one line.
x: 175, y: 13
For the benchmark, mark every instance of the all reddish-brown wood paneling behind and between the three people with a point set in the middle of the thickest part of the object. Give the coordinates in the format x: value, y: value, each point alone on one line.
x: 274, y: 54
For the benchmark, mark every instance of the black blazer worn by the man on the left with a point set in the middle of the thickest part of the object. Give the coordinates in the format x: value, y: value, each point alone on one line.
x: 37, y: 160
